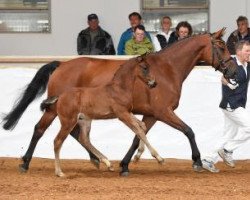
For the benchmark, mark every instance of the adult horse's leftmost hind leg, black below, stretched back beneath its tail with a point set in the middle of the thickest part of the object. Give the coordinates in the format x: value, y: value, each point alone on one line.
x: 39, y: 130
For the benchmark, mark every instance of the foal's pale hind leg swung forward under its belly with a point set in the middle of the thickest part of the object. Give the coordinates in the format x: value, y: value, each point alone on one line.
x: 85, y: 125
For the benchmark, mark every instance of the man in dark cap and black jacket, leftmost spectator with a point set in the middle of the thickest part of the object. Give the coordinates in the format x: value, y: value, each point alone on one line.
x: 94, y: 40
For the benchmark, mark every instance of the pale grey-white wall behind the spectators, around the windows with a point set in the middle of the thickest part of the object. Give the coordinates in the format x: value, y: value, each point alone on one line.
x: 69, y: 18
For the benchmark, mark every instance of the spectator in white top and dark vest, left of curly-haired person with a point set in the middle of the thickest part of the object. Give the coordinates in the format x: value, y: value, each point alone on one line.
x: 160, y: 40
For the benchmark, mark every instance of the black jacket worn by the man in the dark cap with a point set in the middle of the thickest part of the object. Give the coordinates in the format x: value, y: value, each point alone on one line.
x: 102, y: 44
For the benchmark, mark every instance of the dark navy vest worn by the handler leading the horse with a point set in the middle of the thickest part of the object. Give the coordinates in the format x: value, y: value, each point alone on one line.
x: 238, y: 97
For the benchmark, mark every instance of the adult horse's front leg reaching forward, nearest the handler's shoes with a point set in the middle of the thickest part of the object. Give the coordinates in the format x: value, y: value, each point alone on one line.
x: 170, y: 118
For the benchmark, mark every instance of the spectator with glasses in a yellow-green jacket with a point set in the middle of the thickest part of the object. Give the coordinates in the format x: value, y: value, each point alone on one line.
x: 139, y: 44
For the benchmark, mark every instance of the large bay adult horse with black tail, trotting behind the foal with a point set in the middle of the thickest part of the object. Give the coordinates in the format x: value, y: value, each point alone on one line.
x: 174, y: 62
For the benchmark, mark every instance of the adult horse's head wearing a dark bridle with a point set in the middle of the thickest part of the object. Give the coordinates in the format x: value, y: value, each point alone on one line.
x: 221, y: 59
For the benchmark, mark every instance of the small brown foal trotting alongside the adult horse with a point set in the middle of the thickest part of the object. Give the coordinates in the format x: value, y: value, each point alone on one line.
x: 114, y: 100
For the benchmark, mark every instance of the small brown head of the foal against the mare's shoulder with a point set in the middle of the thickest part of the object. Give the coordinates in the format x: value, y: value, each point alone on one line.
x: 144, y: 71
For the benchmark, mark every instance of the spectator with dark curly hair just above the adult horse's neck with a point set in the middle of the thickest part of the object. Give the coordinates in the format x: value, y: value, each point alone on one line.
x: 182, y: 30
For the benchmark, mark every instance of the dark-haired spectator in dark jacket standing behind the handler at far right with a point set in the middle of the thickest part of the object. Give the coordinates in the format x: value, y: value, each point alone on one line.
x: 242, y: 33
